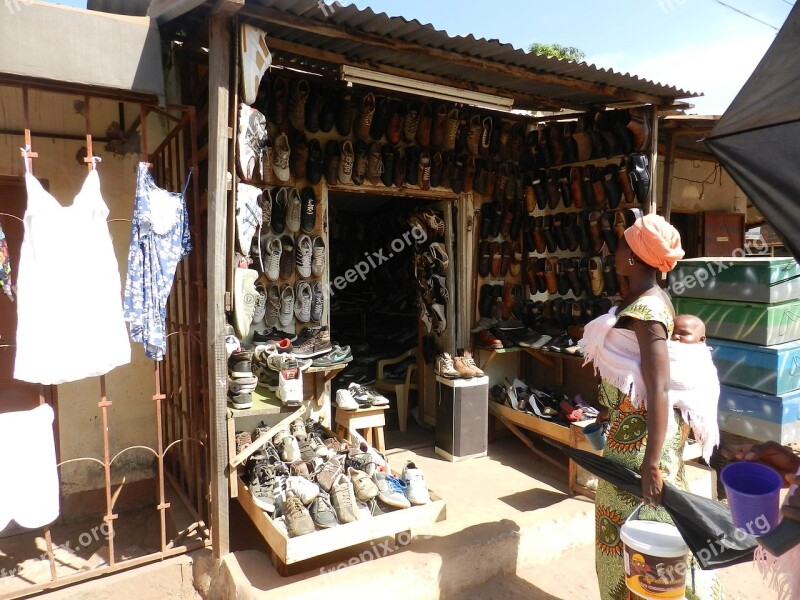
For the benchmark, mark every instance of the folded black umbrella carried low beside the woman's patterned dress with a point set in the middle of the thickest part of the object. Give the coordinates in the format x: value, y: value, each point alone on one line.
x: 704, y: 524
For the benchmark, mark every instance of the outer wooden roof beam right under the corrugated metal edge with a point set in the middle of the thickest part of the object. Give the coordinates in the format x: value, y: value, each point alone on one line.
x: 331, y: 30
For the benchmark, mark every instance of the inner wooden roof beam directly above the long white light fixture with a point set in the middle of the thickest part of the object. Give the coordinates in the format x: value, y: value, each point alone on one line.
x: 530, y: 100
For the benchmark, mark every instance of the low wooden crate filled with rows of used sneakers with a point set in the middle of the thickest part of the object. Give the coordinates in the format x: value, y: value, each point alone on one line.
x: 311, y: 494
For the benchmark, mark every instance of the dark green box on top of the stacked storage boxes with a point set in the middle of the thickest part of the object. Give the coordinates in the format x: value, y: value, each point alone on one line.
x: 748, y: 279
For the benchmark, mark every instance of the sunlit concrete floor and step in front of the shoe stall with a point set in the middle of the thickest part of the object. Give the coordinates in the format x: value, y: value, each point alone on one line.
x: 511, y: 531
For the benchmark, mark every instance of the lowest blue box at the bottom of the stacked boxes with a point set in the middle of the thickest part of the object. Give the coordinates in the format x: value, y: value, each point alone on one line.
x: 759, y: 416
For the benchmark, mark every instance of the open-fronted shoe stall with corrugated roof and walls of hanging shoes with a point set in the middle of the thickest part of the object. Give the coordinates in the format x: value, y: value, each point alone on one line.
x: 395, y: 217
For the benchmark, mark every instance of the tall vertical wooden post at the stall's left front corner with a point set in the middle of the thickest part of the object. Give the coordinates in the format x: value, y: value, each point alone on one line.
x: 219, y: 82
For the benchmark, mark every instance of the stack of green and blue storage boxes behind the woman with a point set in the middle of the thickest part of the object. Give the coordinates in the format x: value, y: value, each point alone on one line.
x: 751, y: 308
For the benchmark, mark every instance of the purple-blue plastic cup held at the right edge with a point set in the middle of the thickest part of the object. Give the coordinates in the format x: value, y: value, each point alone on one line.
x: 754, y: 492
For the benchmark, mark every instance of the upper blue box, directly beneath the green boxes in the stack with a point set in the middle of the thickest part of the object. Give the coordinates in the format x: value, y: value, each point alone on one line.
x: 769, y: 369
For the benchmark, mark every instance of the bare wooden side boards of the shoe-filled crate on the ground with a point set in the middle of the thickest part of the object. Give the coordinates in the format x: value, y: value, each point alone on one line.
x: 286, y: 552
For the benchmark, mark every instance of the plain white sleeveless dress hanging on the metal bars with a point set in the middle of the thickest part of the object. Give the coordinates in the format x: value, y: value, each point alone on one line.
x: 69, y: 303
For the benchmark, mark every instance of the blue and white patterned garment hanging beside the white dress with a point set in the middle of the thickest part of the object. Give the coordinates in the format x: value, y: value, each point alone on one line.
x: 159, y: 240
